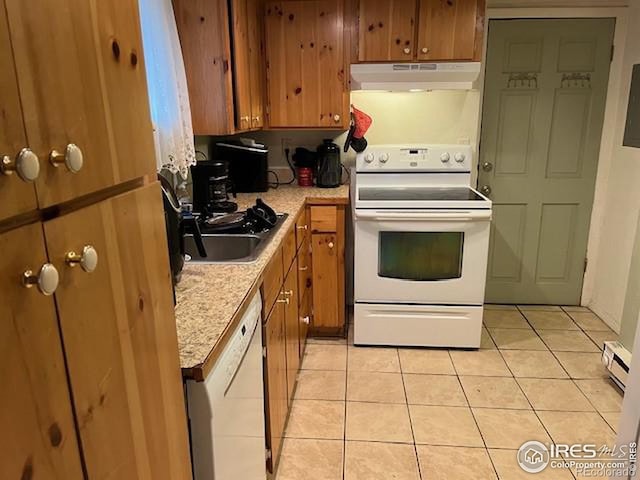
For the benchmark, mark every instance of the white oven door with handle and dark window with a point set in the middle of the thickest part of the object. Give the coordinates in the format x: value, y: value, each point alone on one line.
x: 421, y: 256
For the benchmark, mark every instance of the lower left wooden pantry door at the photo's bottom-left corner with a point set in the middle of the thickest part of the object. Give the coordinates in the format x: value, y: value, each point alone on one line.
x: 38, y: 434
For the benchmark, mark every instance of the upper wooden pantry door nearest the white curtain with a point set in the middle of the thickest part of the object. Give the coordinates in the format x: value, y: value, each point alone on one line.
x: 81, y: 80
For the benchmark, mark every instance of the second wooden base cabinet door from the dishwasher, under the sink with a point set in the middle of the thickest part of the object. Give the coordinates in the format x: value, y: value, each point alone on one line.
x: 292, y: 329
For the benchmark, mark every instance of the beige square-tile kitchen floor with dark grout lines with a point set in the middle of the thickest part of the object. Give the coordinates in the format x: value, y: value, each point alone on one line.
x: 363, y: 413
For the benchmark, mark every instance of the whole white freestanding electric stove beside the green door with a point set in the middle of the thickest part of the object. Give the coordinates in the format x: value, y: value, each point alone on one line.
x: 421, y: 243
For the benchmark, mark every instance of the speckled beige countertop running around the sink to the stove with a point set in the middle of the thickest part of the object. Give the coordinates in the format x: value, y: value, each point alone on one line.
x: 208, y: 296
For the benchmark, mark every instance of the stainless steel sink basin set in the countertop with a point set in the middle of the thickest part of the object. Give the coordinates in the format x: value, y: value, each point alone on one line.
x: 230, y: 248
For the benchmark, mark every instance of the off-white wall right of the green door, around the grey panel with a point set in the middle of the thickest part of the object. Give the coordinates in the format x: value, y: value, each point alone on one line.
x: 614, y: 223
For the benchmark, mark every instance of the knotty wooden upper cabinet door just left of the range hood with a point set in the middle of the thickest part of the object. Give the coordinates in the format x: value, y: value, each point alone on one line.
x: 306, y: 64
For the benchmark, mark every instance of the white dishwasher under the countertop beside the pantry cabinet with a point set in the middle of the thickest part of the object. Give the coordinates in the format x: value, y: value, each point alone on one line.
x: 226, y: 411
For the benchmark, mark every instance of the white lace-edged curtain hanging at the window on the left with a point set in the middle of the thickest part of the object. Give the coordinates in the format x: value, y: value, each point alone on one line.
x: 167, y: 83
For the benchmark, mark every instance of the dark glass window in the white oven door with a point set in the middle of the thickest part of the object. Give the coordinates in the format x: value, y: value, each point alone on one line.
x: 421, y: 256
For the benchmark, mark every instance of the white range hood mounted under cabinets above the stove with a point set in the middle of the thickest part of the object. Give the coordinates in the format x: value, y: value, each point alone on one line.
x: 414, y: 76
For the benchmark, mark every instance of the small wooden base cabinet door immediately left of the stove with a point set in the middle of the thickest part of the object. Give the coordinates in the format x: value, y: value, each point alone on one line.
x: 326, y: 294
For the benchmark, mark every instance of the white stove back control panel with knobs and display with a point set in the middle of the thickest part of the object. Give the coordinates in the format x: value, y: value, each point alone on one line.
x: 415, y: 158
